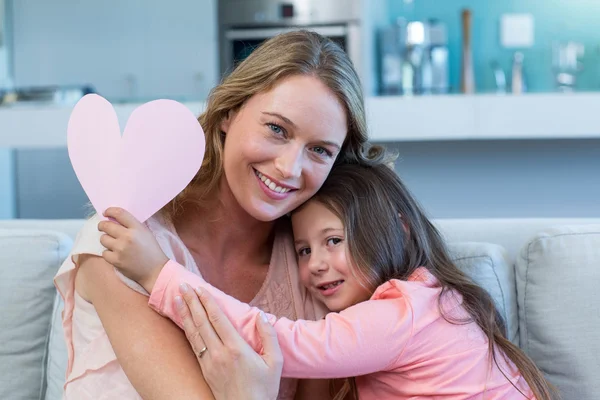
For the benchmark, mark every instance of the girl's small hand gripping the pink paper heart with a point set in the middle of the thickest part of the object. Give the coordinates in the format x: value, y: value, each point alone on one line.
x: 131, y: 247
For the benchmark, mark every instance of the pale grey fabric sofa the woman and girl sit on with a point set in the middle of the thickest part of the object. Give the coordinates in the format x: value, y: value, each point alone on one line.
x: 543, y: 274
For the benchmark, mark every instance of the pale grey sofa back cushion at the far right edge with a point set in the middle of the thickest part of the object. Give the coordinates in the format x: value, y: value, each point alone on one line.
x: 557, y: 284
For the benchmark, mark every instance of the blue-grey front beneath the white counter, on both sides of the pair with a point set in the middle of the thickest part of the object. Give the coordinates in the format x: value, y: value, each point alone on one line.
x: 461, y: 179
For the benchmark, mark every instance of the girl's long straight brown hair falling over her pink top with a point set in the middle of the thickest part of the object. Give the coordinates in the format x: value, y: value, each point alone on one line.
x: 373, y: 202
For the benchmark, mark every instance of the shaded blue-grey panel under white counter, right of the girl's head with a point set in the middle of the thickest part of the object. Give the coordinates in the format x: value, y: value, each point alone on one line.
x: 503, y: 178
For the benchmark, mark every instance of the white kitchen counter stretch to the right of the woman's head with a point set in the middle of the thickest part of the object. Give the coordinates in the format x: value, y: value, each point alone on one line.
x: 485, y: 117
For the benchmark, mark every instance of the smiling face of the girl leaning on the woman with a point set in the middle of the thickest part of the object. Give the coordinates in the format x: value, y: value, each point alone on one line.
x: 323, y: 257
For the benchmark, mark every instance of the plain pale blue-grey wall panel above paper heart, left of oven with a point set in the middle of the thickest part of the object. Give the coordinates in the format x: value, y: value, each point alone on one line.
x: 128, y: 49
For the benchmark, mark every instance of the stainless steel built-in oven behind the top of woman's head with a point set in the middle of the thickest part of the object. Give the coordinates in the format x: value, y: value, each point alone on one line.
x: 245, y: 24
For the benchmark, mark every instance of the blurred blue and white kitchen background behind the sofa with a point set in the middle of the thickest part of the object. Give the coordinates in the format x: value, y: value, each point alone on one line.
x: 492, y: 105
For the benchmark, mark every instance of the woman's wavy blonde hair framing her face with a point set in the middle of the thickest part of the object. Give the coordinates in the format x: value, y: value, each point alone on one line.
x: 288, y: 54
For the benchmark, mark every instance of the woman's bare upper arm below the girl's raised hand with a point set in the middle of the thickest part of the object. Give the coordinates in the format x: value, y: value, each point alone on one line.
x: 153, y: 352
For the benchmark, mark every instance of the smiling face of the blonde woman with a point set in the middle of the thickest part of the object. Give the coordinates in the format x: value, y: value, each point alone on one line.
x: 281, y: 145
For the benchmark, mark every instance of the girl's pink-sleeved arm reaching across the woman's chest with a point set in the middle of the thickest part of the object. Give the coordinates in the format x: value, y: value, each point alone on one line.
x: 365, y: 338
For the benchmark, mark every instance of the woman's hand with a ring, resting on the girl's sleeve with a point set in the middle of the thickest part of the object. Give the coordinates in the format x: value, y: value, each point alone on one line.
x: 232, y: 369
